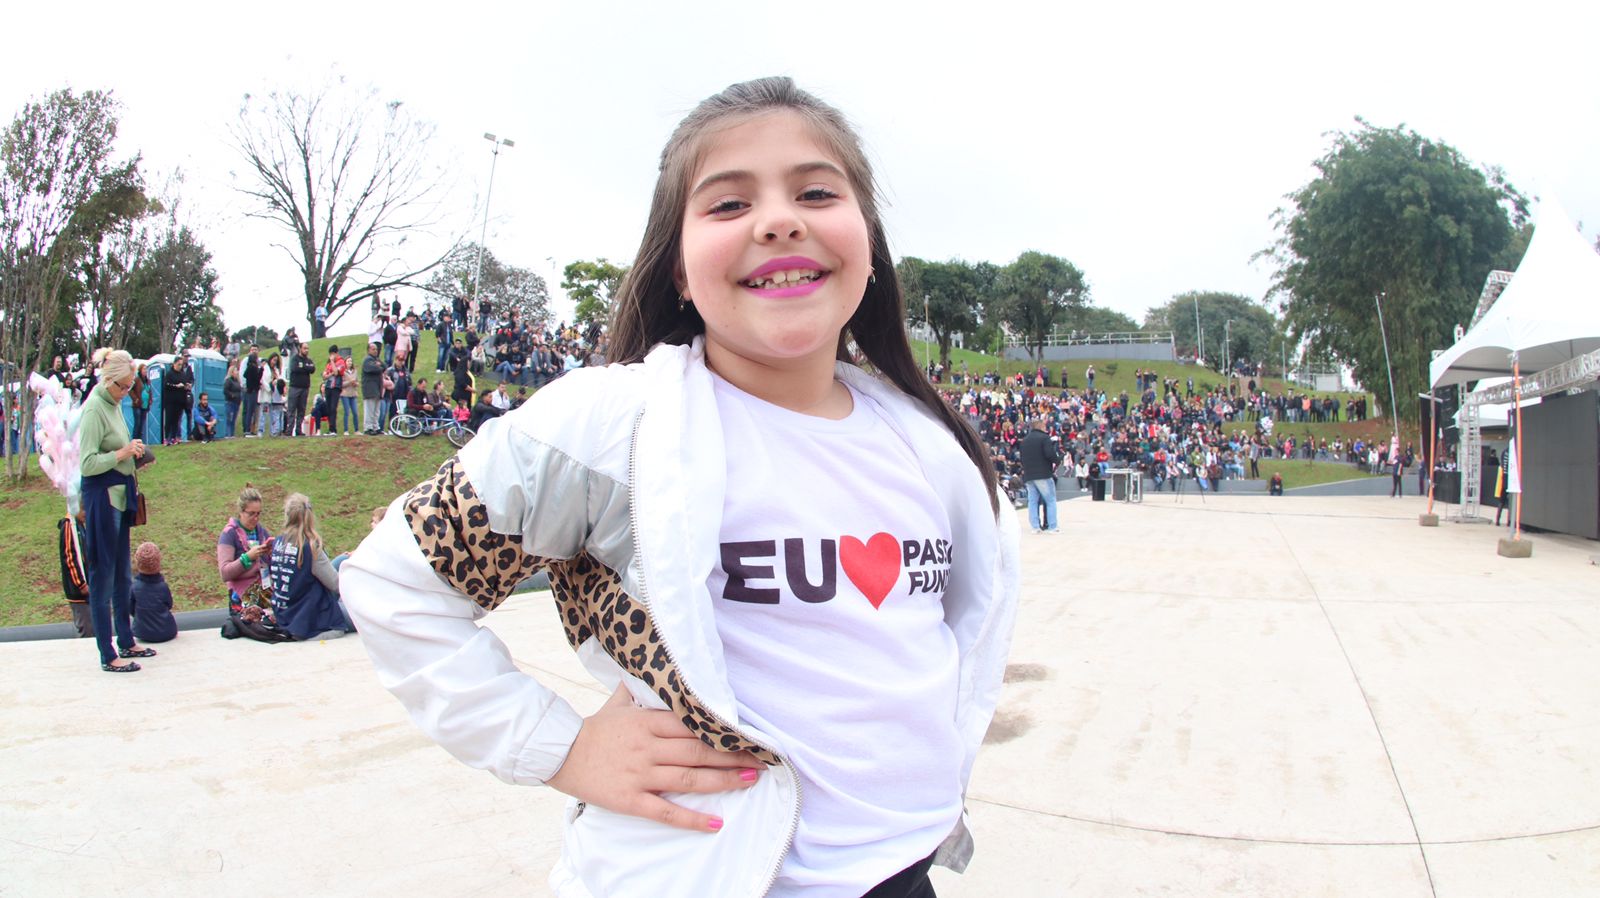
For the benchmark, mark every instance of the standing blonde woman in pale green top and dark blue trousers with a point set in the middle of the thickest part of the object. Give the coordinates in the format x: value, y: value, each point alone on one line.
x: 110, y: 499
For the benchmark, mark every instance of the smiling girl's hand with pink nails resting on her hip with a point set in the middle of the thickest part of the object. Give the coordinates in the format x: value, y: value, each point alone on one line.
x: 626, y: 756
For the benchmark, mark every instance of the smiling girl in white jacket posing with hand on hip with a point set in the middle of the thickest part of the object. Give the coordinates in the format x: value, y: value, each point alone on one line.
x: 788, y: 567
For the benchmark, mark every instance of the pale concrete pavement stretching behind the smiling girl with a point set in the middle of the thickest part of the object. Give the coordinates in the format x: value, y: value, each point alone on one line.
x: 1250, y: 697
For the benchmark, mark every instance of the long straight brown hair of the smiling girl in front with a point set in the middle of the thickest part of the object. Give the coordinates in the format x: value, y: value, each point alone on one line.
x: 647, y: 308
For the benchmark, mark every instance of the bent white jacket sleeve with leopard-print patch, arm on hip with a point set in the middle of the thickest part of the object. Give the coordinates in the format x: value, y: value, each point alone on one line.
x: 441, y: 559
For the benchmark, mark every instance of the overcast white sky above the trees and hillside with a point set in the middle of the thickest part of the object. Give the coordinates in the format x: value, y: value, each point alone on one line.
x: 1146, y: 145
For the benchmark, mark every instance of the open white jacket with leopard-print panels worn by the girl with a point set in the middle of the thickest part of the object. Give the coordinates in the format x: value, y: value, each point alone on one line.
x: 614, y: 481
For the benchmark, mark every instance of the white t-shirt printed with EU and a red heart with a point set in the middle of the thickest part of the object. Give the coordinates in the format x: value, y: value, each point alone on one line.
x: 830, y: 606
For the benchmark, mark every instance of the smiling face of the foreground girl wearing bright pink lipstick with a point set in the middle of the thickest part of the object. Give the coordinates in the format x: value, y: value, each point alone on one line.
x: 775, y: 246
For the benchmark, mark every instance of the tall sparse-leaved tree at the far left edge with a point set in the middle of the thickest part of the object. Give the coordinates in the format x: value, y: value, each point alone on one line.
x: 54, y: 158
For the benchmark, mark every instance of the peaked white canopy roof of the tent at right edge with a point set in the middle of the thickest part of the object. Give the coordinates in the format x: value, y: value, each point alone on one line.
x: 1550, y: 315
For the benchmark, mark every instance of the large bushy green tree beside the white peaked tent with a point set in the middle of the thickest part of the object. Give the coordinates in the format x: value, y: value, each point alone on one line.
x: 1394, y: 215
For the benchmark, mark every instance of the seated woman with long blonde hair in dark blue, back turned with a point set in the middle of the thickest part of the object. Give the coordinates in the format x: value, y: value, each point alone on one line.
x: 305, y: 585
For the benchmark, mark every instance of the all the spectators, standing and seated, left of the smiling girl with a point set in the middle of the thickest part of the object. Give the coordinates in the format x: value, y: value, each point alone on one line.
x: 281, y: 587
